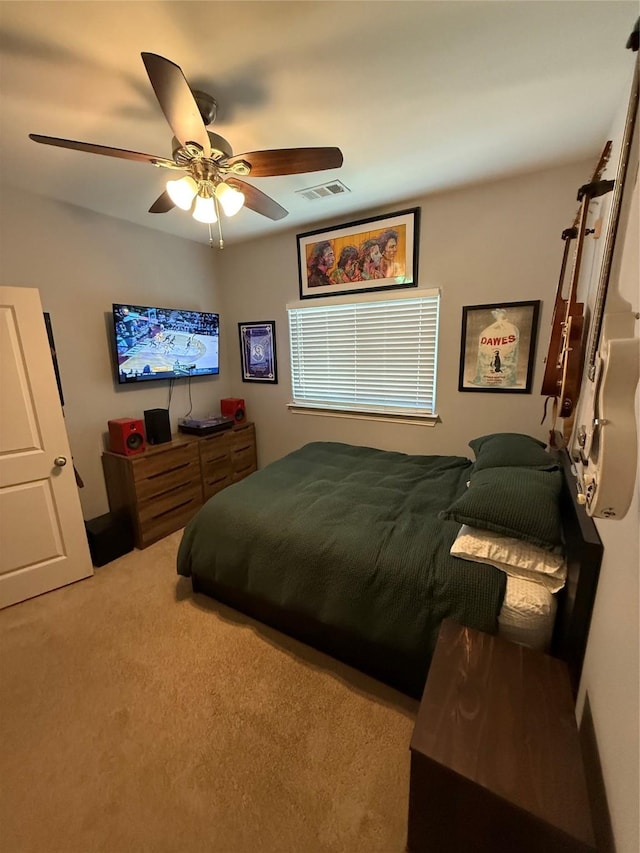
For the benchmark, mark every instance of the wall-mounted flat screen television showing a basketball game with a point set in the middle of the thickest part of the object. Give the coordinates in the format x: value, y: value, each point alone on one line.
x: 164, y: 343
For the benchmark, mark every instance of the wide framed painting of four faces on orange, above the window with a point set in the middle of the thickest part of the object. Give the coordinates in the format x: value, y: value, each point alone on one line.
x: 370, y: 254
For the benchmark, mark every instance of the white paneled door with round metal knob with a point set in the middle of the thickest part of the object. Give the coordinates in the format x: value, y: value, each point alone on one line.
x: 43, y: 544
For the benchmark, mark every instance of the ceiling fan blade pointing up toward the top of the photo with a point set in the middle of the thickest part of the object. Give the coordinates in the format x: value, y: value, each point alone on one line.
x: 176, y: 101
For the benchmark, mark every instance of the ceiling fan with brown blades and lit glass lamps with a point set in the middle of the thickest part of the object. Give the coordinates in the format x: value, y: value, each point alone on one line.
x: 212, y: 173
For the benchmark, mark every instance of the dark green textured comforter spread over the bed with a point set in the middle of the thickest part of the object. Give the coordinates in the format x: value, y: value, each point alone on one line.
x: 349, y: 537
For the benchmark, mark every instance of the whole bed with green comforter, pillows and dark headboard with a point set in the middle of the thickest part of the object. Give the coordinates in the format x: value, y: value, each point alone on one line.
x: 362, y: 553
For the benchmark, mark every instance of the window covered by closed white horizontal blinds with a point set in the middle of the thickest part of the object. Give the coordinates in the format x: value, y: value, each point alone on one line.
x: 374, y: 355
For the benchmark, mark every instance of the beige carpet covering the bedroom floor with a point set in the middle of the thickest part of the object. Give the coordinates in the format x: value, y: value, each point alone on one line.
x: 138, y: 717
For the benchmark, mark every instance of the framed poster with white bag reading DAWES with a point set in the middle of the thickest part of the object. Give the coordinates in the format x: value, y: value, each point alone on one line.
x: 498, y: 347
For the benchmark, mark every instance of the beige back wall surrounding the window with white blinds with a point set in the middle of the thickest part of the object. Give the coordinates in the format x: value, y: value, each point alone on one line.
x: 494, y: 242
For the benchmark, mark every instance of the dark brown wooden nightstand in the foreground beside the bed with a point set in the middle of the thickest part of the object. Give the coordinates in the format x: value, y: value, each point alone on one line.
x: 495, y: 756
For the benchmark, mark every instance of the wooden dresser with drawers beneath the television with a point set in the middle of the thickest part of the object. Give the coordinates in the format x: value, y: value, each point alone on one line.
x: 161, y: 488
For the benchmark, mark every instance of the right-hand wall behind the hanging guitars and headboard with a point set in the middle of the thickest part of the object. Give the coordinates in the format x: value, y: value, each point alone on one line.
x: 610, y: 688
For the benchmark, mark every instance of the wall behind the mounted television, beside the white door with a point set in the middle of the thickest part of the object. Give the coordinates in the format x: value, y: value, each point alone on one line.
x: 81, y: 263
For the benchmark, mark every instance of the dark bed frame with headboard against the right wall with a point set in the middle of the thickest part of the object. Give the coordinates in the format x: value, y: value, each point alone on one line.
x: 575, y: 603
